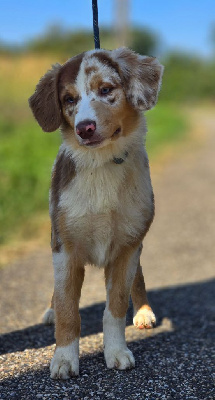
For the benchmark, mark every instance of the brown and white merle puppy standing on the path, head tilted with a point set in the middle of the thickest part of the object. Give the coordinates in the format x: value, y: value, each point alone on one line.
x: 101, y: 198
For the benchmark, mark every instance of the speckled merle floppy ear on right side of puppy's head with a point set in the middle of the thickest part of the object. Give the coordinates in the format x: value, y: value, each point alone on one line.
x: 141, y: 77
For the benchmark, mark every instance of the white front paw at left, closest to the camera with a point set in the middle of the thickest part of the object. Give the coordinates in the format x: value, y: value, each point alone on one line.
x: 65, y: 362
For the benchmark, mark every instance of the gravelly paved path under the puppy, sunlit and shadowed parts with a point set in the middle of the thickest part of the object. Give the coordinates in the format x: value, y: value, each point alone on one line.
x: 174, y: 360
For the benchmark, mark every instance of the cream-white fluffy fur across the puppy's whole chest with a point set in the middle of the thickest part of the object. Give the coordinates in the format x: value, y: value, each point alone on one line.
x: 105, y: 203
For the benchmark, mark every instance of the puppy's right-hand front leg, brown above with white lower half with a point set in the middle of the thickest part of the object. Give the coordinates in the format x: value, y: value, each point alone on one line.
x: 119, y: 277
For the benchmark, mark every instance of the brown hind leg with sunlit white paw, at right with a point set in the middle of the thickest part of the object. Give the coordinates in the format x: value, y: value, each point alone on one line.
x: 143, y: 314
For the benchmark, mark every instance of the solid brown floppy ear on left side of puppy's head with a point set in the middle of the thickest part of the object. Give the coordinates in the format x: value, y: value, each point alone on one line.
x: 44, y: 102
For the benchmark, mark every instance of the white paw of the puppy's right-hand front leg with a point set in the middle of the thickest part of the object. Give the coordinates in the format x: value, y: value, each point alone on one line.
x: 120, y: 358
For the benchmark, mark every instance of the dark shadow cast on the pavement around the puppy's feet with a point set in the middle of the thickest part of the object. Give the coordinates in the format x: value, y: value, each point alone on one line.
x: 170, y: 365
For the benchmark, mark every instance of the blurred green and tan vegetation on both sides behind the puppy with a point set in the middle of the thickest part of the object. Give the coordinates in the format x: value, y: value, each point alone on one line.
x: 27, y: 154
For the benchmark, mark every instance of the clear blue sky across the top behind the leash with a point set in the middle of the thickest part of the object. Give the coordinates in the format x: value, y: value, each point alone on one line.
x: 182, y: 25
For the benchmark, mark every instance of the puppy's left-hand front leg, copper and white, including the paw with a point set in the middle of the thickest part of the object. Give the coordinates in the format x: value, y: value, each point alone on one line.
x: 69, y: 276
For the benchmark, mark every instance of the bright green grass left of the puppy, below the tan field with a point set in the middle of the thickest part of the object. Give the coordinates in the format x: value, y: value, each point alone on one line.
x: 26, y: 158
